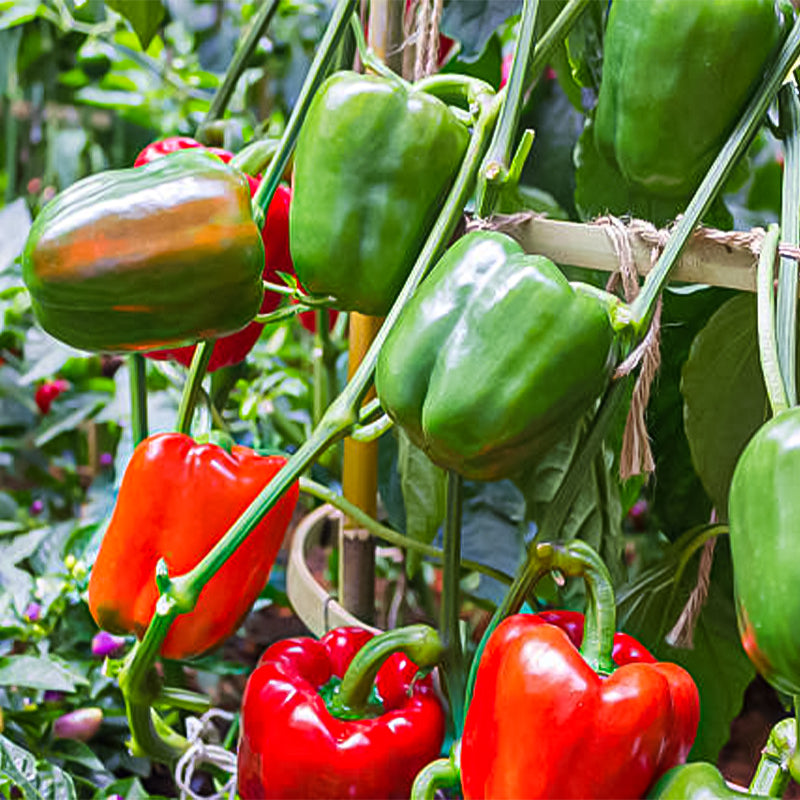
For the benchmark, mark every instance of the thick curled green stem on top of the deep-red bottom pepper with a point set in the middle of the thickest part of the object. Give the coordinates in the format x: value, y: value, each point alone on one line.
x: 420, y: 643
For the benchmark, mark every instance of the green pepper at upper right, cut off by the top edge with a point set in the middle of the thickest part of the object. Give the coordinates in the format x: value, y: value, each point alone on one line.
x: 676, y: 77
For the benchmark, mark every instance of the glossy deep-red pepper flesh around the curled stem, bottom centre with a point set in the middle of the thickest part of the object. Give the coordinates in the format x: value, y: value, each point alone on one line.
x: 292, y: 748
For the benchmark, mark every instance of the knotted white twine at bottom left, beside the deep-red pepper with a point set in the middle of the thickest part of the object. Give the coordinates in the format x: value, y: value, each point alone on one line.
x: 204, y: 749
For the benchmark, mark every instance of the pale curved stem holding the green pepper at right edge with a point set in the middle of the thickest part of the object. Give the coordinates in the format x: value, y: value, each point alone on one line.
x: 767, y: 342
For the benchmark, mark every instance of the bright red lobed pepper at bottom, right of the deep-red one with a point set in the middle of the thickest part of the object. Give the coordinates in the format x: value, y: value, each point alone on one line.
x: 539, y: 709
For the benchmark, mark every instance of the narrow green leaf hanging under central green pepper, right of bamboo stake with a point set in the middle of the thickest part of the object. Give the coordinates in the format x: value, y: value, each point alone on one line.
x: 424, y: 495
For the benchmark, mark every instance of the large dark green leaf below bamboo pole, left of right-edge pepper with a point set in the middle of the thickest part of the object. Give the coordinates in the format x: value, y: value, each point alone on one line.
x: 725, y: 400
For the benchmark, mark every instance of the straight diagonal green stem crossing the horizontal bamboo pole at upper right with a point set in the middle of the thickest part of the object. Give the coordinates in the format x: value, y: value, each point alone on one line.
x: 644, y: 305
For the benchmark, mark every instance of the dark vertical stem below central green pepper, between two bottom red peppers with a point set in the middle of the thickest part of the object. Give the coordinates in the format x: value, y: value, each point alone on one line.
x: 449, y: 625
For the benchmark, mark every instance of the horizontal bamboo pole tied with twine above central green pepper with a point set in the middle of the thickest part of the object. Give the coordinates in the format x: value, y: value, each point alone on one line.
x: 716, y: 258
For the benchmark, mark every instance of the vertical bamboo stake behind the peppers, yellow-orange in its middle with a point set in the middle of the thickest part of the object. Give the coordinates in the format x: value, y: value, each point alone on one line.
x: 360, y: 470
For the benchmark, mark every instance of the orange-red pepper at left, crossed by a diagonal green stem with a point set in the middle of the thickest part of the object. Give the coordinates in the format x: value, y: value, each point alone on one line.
x: 176, y: 501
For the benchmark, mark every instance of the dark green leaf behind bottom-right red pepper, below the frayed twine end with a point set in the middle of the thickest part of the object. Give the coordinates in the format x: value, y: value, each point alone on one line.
x: 650, y: 607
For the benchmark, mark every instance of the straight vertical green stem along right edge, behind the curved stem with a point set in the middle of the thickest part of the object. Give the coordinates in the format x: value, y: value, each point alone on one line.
x: 789, y: 117
